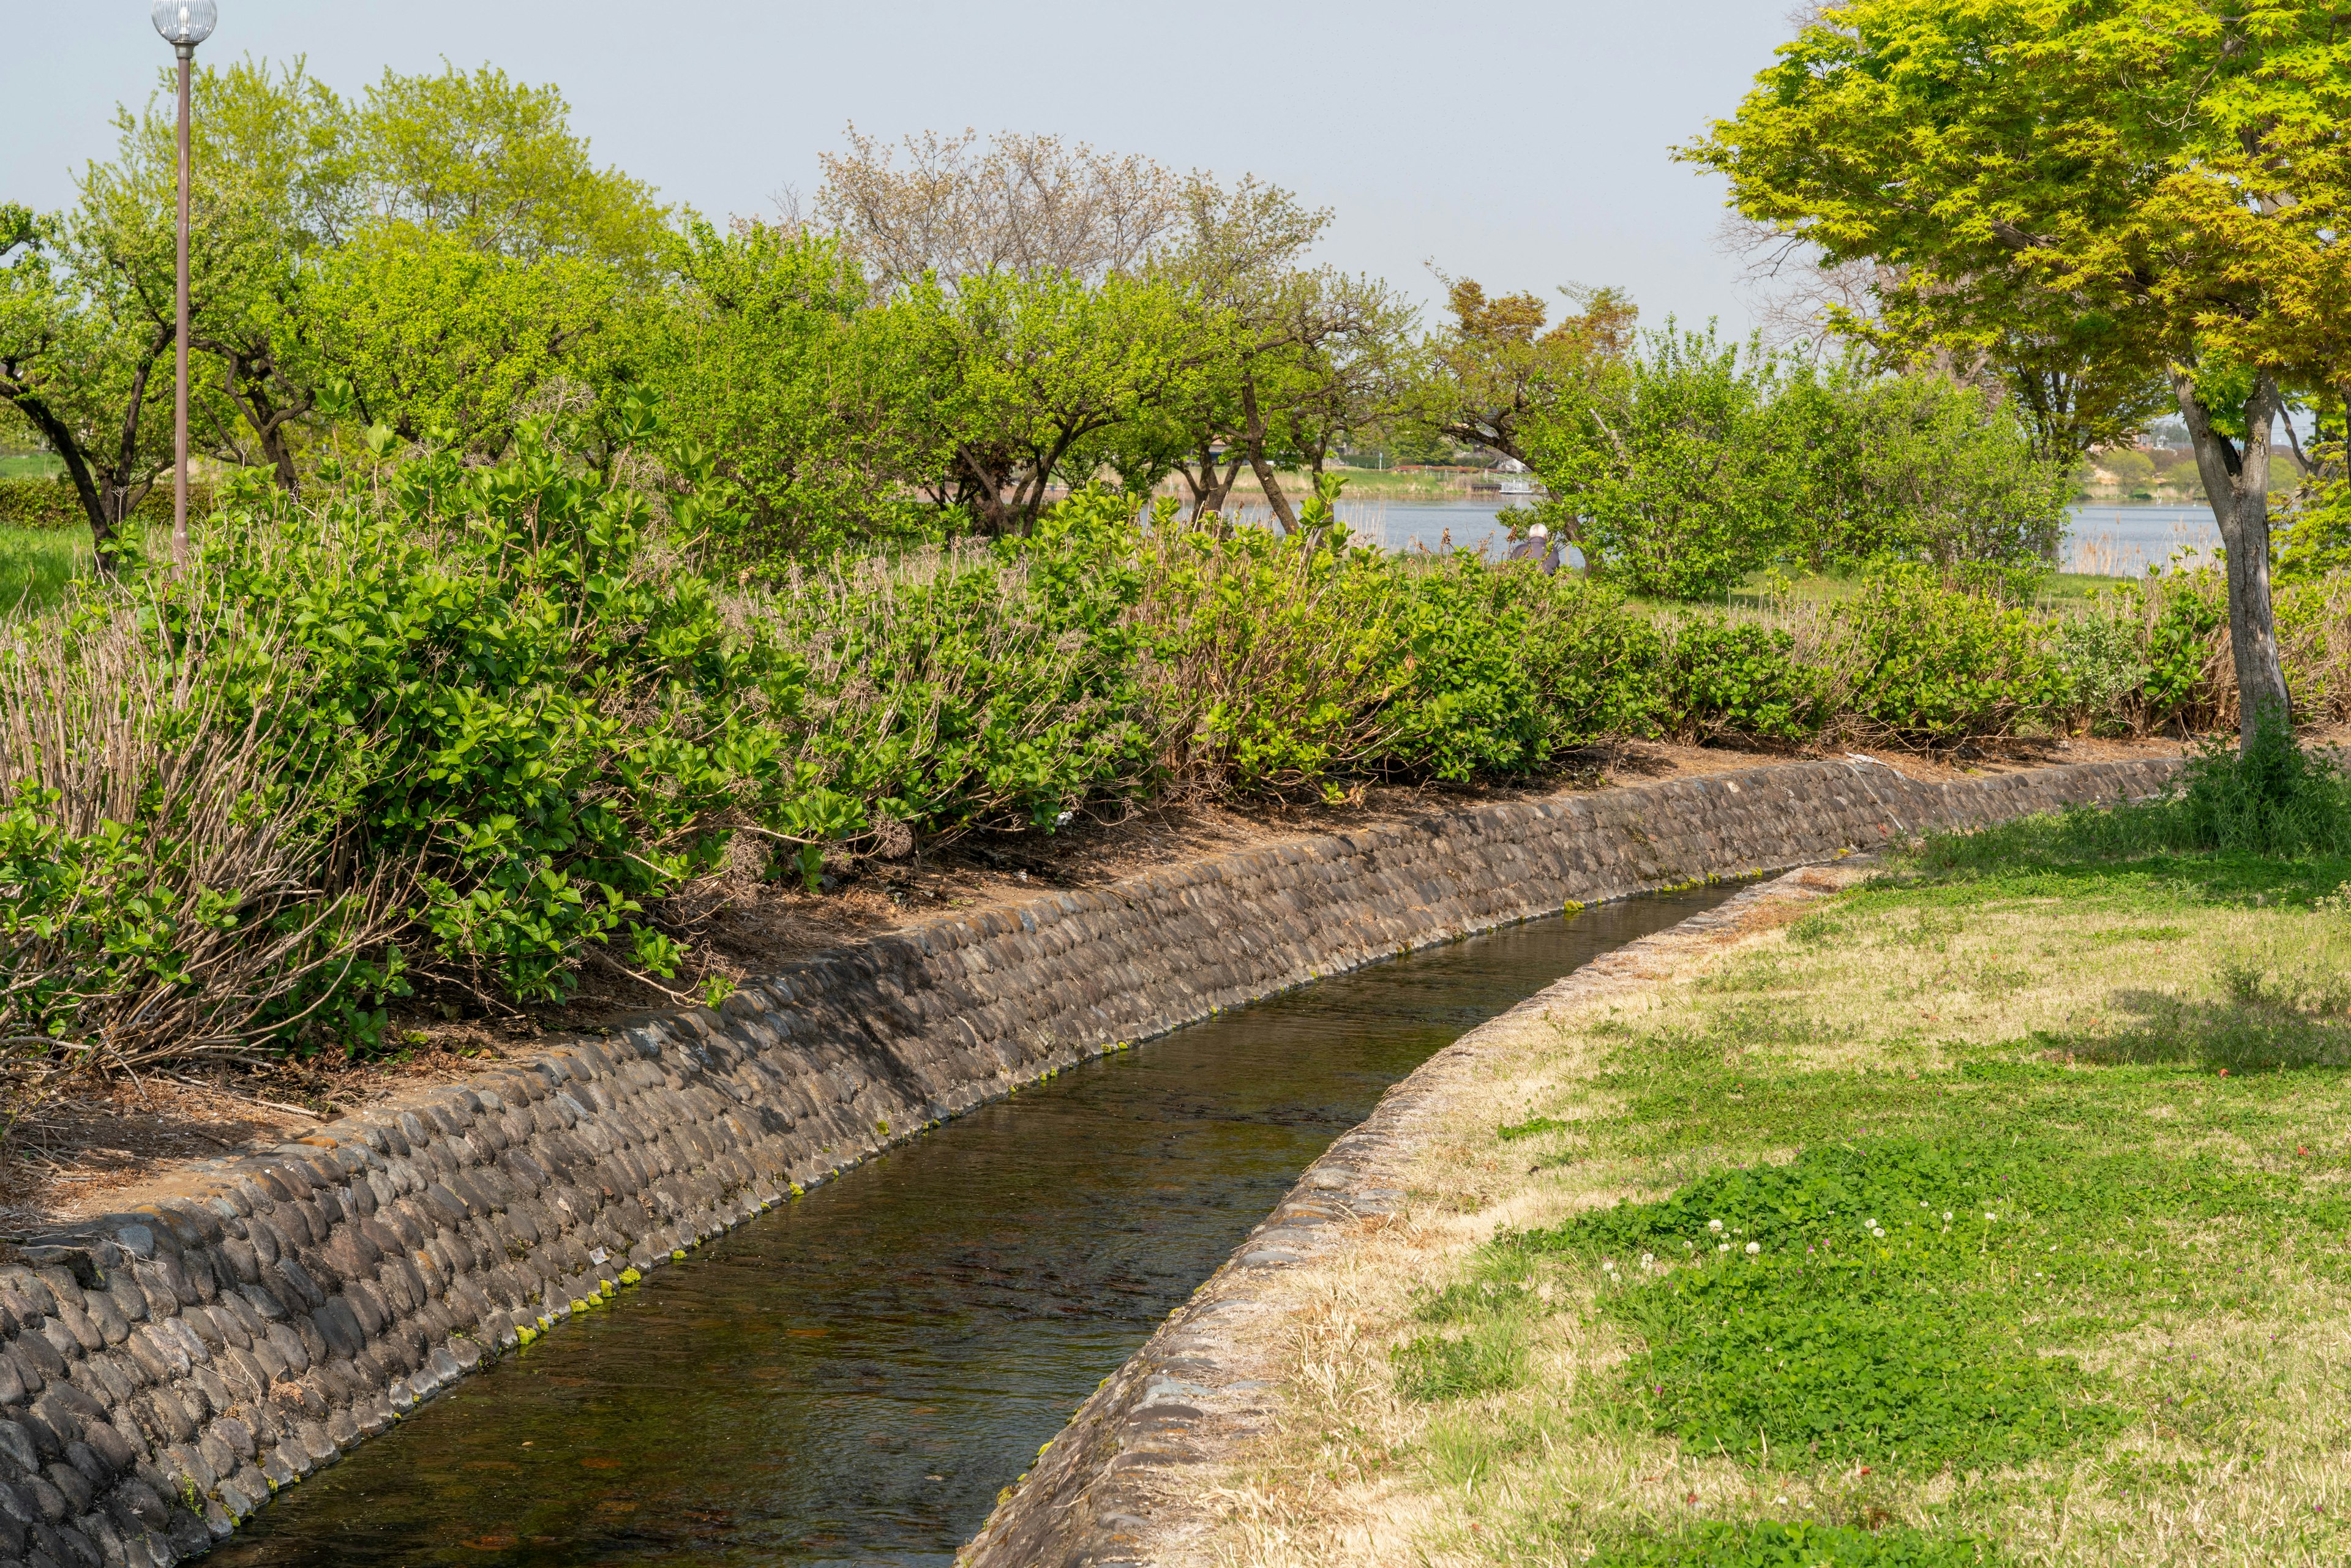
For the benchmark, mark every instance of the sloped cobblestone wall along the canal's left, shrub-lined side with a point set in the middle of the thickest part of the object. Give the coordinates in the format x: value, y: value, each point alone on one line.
x: 166, y: 1372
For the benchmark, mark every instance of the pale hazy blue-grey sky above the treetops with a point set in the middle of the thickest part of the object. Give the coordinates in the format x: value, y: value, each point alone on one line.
x: 1525, y: 142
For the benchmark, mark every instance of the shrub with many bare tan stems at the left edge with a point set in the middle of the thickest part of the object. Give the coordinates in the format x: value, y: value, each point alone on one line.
x: 161, y: 880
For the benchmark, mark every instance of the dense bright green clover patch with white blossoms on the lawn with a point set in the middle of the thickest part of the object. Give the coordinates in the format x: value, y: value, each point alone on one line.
x: 1830, y: 1308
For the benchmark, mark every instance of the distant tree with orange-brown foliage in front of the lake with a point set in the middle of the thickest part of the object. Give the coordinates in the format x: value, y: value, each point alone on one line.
x: 1496, y: 366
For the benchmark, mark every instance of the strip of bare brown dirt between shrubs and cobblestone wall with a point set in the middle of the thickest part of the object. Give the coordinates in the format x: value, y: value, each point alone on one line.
x: 74, y: 1155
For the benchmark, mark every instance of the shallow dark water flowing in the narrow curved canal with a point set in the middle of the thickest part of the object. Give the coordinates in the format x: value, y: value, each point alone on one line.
x: 852, y: 1379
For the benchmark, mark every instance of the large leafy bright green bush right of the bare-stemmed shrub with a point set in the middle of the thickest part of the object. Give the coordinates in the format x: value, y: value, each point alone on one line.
x: 509, y: 699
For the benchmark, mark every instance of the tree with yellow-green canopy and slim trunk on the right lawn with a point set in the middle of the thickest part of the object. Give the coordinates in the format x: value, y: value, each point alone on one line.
x: 2176, y: 170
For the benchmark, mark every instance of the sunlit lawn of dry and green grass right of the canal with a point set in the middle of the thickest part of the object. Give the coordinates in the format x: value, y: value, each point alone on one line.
x: 1985, y: 1214
